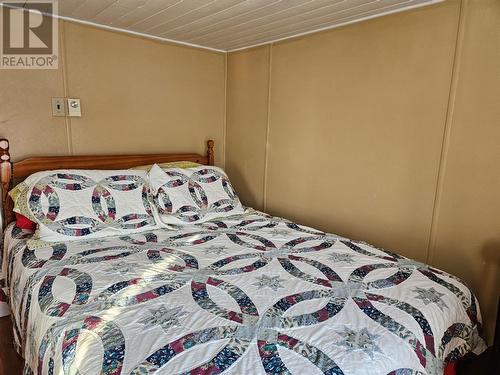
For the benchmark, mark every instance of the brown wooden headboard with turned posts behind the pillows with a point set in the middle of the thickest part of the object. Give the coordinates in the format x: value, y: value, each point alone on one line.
x: 18, y: 171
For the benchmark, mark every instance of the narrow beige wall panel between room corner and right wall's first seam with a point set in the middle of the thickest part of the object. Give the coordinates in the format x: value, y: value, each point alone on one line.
x: 247, y: 94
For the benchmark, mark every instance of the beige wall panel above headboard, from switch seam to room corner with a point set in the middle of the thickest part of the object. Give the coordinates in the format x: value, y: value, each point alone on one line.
x: 140, y: 95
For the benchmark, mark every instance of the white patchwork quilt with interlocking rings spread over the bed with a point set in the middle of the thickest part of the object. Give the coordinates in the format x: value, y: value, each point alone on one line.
x: 249, y: 294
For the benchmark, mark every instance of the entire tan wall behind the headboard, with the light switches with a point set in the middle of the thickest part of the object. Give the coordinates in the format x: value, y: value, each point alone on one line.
x: 137, y: 95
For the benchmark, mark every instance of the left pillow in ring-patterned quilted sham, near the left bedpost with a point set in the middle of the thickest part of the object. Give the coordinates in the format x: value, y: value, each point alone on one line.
x: 85, y: 204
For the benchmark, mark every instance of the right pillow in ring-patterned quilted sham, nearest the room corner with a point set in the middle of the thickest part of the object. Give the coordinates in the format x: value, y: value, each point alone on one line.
x: 192, y: 195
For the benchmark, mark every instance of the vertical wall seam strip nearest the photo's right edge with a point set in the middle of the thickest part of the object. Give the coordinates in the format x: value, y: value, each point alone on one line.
x: 450, y: 109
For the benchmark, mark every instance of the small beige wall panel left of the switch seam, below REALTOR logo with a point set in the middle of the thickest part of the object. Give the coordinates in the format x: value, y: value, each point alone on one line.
x: 26, y: 112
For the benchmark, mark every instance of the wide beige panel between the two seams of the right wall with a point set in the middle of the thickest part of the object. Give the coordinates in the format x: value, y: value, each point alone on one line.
x: 356, y: 125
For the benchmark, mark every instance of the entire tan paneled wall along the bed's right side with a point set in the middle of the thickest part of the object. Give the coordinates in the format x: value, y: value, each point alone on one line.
x: 385, y: 131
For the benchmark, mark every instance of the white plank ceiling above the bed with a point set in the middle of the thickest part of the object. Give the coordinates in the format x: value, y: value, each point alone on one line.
x: 227, y: 25
